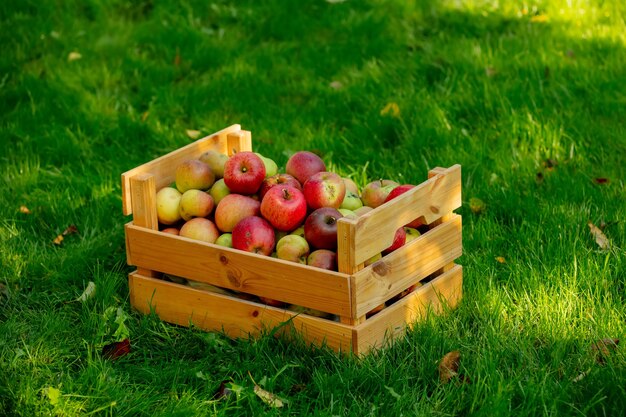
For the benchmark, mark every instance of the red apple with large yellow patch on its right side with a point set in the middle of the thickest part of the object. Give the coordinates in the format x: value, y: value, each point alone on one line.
x: 324, y: 189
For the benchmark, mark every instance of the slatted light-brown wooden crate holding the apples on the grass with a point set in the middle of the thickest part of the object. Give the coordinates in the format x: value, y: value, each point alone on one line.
x: 349, y: 294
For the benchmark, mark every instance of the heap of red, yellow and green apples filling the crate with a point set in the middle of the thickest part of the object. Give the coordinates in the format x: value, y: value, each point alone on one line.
x: 243, y: 202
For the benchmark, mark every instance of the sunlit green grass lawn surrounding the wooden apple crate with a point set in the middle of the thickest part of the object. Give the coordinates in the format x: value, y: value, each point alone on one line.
x: 486, y: 84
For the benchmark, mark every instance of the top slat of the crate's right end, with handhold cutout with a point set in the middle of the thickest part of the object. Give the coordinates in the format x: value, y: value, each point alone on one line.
x: 431, y: 199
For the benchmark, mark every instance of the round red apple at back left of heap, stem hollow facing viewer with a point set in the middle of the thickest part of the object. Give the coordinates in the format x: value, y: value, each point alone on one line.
x: 244, y: 172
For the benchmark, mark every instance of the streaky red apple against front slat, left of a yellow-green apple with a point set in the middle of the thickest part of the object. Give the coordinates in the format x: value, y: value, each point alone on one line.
x: 254, y: 234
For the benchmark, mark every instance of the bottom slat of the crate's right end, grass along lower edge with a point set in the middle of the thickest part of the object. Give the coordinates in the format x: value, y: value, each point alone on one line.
x: 446, y: 289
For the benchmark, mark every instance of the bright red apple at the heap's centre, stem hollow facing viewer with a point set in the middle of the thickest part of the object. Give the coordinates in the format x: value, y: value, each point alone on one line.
x: 284, y: 207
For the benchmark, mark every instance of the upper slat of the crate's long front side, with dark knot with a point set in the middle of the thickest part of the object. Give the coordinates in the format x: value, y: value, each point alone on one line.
x: 241, y: 271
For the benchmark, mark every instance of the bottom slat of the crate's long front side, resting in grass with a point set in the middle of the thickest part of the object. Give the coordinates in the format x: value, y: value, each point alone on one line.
x: 183, y: 305
